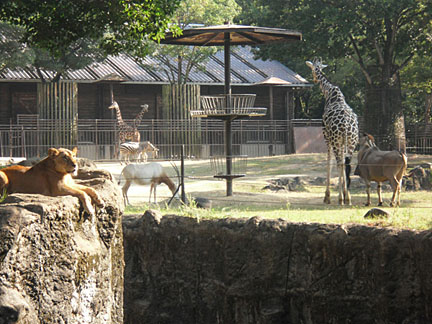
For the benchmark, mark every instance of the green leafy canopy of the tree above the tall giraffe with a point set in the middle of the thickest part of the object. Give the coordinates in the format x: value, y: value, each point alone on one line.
x: 379, y: 36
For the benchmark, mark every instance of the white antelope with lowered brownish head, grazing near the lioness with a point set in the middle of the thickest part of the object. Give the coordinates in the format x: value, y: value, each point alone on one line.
x: 144, y: 174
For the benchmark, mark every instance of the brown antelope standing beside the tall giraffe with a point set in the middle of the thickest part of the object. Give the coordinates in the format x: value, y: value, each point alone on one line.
x: 376, y: 165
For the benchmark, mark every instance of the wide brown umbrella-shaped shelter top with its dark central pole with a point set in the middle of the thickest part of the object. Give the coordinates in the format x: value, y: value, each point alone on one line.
x: 227, y: 35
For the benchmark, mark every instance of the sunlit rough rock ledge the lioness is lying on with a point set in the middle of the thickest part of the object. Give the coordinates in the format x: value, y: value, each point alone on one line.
x: 57, y: 264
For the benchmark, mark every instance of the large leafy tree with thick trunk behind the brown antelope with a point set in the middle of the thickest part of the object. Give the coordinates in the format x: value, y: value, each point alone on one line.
x: 381, y: 36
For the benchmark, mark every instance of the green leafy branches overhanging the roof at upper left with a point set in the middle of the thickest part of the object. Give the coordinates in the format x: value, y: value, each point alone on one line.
x: 68, y: 31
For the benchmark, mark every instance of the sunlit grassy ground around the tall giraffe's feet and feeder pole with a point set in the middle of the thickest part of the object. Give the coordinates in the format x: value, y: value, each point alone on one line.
x: 251, y: 200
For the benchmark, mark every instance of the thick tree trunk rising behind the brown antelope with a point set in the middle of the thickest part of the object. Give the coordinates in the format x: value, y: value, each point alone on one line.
x: 383, y: 115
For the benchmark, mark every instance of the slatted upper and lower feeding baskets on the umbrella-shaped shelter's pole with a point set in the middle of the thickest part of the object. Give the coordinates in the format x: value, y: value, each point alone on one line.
x: 228, y: 107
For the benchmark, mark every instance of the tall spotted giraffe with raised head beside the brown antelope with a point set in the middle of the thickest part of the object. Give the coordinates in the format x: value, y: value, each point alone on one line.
x: 340, y: 129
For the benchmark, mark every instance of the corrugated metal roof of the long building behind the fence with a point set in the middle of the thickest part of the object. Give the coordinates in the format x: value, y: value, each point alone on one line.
x: 245, y: 70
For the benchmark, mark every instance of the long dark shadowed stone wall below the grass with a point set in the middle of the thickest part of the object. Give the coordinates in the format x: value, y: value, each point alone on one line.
x: 241, y: 271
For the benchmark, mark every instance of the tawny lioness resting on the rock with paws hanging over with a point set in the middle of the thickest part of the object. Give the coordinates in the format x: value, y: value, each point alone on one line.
x: 52, y: 176
